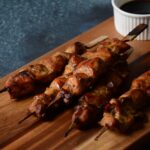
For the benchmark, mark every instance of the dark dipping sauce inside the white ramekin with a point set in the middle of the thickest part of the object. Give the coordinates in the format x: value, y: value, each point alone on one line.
x: 137, y: 7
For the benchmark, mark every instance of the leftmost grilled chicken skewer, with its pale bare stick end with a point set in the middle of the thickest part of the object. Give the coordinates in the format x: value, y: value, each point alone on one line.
x: 28, y: 80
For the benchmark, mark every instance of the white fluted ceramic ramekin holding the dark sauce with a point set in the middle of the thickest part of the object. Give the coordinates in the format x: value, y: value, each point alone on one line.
x: 125, y: 22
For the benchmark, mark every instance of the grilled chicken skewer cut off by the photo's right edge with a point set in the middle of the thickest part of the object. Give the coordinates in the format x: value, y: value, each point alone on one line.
x: 121, y: 114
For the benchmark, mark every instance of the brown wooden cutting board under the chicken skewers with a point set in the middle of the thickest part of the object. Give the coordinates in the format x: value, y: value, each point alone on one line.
x: 33, y: 134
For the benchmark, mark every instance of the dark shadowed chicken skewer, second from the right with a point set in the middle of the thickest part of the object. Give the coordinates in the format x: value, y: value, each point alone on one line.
x: 91, y: 105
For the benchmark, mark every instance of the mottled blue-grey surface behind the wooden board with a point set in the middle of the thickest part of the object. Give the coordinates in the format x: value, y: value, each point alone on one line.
x: 30, y: 28
